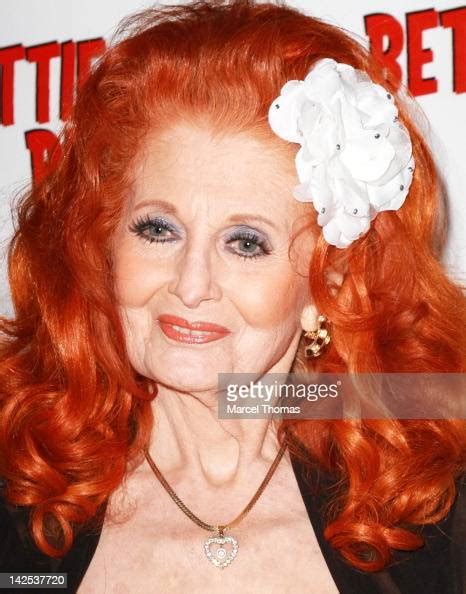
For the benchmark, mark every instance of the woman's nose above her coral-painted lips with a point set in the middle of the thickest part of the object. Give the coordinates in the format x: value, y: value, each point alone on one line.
x: 193, y: 280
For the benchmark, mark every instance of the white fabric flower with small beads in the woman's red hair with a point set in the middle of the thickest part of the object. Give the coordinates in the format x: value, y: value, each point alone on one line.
x: 355, y: 158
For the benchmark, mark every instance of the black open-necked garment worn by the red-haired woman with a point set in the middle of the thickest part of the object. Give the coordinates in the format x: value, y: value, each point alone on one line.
x: 438, y: 568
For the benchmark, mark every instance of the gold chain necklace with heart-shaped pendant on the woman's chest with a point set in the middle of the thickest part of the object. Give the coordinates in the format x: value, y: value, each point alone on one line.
x: 219, y: 557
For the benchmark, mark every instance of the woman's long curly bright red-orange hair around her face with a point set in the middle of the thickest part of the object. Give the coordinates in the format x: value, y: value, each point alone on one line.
x: 75, y: 415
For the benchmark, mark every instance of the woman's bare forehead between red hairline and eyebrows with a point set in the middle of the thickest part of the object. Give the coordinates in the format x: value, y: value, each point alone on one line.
x: 186, y: 165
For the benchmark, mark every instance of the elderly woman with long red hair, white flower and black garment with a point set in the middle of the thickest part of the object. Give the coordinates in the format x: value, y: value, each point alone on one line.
x: 231, y: 171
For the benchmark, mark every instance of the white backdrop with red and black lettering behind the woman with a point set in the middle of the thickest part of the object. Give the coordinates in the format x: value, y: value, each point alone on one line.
x: 46, y: 44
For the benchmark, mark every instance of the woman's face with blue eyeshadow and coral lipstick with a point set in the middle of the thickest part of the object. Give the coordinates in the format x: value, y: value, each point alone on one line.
x: 205, y: 237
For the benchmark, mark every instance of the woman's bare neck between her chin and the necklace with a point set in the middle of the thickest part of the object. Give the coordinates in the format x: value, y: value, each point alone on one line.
x: 189, y: 437
